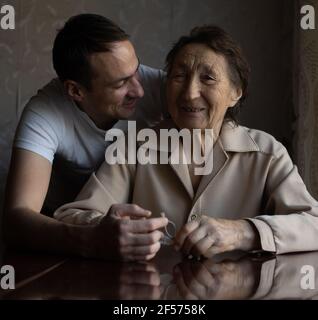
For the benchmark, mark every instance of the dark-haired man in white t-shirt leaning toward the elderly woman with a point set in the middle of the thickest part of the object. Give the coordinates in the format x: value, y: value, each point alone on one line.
x: 60, y: 141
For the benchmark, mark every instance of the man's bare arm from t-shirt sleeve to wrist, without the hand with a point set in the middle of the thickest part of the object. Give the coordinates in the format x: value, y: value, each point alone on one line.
x: 24, y: 226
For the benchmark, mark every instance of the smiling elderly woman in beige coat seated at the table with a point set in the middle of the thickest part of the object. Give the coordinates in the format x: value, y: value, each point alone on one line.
x: 254, y: 198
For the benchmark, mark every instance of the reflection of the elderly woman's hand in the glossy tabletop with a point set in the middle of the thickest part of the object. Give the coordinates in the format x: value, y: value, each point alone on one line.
x: 209, y: 280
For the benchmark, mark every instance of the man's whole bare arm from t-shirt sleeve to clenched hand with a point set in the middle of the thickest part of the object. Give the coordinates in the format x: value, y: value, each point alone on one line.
x: 112, y: 238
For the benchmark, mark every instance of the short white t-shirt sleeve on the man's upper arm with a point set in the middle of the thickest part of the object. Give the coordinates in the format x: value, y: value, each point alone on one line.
x: 37, y: 132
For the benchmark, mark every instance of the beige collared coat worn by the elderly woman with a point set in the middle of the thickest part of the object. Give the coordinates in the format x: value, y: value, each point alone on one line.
x: 253, y: 177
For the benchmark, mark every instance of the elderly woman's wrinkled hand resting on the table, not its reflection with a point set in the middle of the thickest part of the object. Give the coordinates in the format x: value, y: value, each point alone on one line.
x: 211, y: 236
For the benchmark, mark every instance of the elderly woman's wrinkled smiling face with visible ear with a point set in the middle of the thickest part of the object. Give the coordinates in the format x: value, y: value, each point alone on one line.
x: 199, y: 90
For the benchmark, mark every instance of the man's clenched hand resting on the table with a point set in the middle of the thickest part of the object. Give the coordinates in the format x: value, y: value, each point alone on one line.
x: 126, y: 233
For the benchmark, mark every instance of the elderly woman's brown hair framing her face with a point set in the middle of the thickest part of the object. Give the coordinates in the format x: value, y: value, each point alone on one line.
x: 220, y: 42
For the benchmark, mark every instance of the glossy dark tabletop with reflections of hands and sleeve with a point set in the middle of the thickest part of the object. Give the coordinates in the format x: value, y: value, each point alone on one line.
x: 169, y: 276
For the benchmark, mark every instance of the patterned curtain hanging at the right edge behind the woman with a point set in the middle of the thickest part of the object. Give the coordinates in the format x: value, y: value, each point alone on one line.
x: 306, y: 79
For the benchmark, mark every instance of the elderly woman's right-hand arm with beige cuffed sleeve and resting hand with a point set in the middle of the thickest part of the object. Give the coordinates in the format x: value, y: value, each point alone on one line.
x: 289, y: 225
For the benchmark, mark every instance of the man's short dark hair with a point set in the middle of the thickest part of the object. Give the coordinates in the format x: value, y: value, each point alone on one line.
x: 82, y: 36
